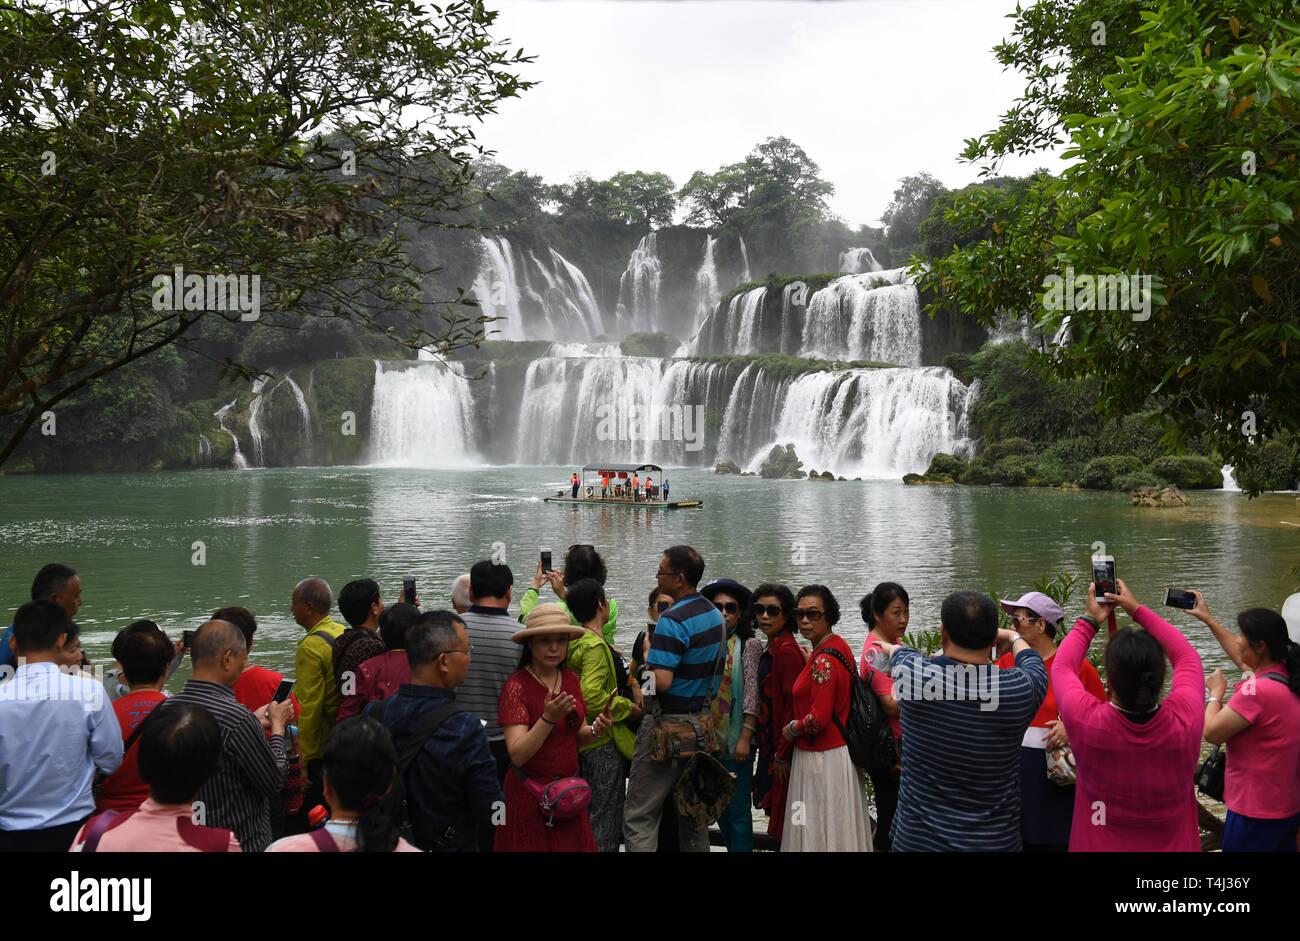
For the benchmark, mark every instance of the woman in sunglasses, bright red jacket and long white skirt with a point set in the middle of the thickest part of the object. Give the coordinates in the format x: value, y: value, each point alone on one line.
x: 827, y: 804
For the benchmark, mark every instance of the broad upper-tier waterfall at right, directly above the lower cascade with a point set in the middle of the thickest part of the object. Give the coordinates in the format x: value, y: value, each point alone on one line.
x: 873, y: 316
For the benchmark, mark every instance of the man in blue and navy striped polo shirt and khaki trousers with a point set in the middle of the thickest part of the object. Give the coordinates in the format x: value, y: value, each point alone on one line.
x: 686, y: 651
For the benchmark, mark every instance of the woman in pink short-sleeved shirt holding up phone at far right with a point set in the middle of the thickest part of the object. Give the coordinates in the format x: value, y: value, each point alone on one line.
x: 1262, y: 727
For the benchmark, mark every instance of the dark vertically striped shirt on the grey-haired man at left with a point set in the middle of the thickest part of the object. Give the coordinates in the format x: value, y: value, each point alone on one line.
x: 252, y: 773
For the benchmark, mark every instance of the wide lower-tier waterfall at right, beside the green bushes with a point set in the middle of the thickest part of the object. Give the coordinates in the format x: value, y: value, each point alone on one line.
x: 873, y: 423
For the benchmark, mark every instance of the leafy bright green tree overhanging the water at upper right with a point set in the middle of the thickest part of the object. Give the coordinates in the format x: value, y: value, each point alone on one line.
x: 1185, y: 181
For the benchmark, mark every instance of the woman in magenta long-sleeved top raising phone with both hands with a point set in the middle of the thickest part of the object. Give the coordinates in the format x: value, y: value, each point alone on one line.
x: 1136, y: 754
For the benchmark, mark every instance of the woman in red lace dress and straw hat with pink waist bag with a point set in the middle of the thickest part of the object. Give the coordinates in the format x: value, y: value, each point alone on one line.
x: 544, y: 718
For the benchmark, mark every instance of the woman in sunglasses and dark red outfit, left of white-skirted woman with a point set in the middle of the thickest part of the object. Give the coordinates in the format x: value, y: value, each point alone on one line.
x: 773, y: 610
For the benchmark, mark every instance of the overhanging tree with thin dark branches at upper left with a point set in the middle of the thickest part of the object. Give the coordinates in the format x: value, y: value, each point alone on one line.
x: 291, y: 148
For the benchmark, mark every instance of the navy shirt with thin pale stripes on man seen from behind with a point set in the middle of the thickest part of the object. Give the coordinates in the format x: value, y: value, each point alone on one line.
x: 963, y: 726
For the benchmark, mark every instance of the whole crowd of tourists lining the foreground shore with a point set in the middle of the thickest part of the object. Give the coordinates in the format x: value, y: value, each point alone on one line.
x: 479, y: 730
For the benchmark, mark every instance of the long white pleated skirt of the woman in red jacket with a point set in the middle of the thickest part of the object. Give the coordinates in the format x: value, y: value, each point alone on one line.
x: 826, y: 810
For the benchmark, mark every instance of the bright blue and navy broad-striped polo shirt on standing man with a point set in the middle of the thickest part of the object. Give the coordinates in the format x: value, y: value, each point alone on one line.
x: 687, y: 640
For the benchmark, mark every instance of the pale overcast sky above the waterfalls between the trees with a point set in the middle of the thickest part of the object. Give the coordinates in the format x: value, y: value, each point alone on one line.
x: 873, y: 90
